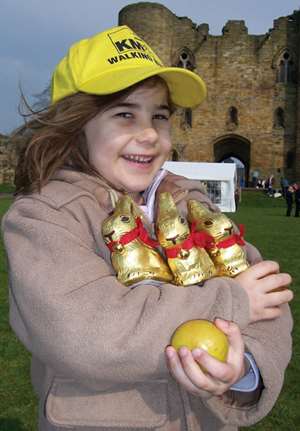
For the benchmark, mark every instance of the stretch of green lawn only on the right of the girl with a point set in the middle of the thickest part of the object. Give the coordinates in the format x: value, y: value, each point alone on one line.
x: 278, y: 238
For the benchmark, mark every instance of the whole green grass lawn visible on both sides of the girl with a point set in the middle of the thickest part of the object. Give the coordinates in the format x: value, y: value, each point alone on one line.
x: 277, y: 237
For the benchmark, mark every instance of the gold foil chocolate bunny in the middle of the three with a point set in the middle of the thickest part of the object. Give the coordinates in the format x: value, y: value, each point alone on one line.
x: 187, y: 258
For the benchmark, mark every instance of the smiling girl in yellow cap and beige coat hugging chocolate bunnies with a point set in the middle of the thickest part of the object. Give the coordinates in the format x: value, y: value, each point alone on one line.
x: 100, y: 354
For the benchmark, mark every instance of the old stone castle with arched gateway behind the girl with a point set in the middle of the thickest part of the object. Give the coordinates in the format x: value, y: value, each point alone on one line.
x: 252, y: 110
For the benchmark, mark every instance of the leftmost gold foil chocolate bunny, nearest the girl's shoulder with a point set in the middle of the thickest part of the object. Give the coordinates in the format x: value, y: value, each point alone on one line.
x: 133, y: 255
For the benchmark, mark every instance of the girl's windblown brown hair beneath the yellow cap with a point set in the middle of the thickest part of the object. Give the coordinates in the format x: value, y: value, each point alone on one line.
x: 54, y: 138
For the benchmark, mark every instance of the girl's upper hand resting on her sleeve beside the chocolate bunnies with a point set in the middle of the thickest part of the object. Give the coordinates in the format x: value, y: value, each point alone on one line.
x: 260, y: 281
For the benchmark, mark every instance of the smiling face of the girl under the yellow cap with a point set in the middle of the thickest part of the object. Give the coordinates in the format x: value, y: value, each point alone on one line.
x: 129, y: 141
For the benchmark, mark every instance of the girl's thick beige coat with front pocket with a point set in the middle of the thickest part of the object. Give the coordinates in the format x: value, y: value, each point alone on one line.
x: 98, y: 346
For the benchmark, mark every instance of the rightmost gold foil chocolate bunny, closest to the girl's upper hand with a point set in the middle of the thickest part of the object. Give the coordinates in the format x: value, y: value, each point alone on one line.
x: 225, y: 248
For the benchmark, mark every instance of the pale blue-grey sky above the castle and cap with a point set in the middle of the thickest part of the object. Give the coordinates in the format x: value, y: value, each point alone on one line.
x: 35, y: 35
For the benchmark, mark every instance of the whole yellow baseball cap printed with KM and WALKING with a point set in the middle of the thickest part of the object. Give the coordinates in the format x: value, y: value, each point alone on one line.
x: 116, y: 59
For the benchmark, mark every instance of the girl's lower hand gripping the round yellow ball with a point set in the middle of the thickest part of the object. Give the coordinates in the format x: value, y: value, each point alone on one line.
x: 219, y: 376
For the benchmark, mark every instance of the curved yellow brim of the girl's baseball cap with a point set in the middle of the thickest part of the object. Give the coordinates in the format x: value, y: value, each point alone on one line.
x: 187, y: 89
